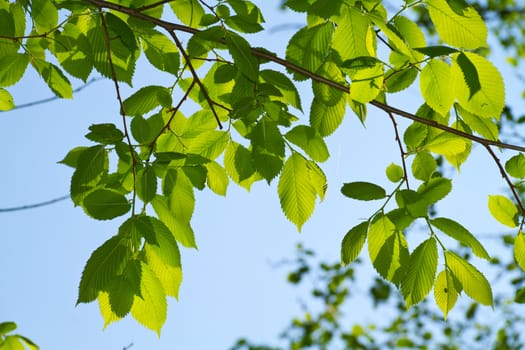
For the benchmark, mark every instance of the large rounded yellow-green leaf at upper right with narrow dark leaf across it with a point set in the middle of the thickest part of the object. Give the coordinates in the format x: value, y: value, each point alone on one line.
x: 489, y: 100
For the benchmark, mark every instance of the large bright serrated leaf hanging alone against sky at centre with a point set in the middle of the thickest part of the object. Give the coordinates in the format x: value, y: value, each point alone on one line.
x: 296, y: 192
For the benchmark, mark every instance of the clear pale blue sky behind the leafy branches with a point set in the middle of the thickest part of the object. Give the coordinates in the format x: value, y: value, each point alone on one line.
x: 230, y: 287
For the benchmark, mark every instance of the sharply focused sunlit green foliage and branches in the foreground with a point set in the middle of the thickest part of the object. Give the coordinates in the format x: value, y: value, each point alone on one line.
x: 147, y: 163
